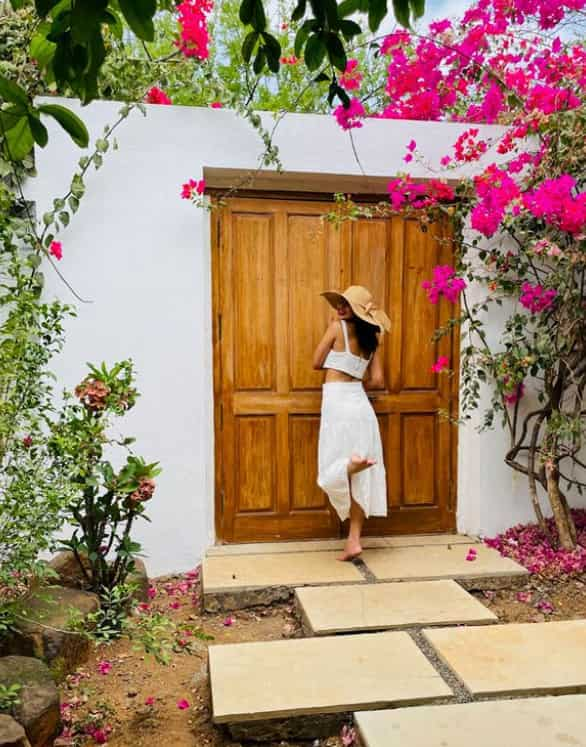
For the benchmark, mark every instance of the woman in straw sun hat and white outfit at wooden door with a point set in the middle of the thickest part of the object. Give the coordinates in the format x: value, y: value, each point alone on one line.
x: 350, y: 461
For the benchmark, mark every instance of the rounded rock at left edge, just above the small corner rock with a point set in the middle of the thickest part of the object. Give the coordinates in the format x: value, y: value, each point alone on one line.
x: 38, y: 710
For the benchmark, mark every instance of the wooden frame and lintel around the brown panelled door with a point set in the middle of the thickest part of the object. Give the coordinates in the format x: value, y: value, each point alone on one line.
x: 271, y: 185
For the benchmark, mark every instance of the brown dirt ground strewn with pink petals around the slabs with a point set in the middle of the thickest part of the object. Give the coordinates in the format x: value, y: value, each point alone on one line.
x: 169, y: 706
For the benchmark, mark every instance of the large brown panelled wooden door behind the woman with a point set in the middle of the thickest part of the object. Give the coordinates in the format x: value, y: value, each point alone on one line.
x: 271, y: 259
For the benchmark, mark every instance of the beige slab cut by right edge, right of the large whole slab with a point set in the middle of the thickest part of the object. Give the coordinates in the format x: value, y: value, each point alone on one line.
x: 523, y: 659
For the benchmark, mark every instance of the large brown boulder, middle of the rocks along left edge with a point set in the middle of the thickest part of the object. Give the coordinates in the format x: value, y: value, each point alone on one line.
x: 45, y: 634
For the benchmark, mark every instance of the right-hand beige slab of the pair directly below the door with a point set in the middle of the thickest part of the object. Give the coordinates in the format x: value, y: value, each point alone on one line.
x: 441, y: 561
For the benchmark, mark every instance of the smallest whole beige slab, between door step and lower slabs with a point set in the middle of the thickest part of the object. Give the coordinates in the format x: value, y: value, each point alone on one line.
x: 349, y: 609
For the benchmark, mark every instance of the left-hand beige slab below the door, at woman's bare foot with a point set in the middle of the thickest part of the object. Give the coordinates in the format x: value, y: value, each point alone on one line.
x: 222, y: 574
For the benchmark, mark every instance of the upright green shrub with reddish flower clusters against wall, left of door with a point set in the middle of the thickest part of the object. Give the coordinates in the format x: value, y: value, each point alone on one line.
x: 105, y: 502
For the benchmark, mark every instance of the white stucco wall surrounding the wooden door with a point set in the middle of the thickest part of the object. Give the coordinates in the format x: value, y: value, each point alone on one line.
x: 141, y: 256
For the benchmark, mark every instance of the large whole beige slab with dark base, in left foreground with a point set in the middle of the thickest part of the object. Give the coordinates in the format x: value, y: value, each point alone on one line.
x: 255, y: 685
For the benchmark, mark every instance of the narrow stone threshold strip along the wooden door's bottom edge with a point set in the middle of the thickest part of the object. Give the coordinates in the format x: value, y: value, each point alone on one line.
x: 407, y: 540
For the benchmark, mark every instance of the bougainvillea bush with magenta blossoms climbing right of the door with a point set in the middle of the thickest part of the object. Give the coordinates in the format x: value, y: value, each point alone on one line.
x: 519, y: 225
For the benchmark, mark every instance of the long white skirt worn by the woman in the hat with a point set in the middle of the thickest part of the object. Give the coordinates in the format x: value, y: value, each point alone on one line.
x: 349, y: 426
